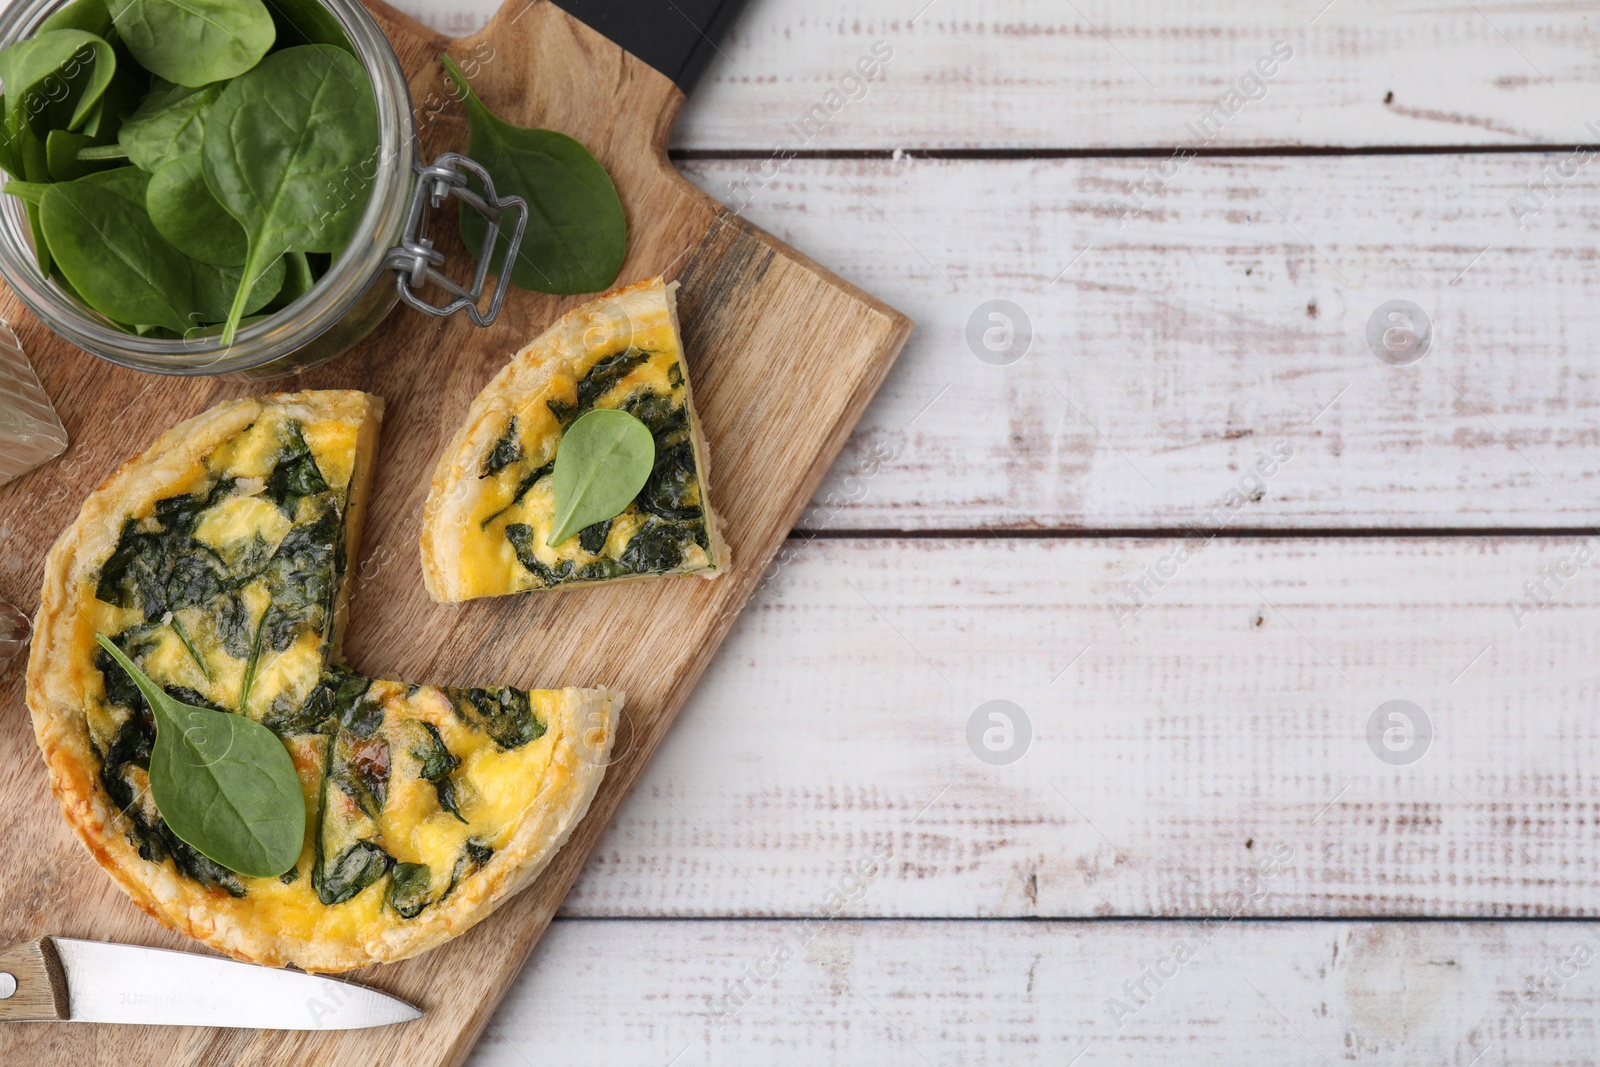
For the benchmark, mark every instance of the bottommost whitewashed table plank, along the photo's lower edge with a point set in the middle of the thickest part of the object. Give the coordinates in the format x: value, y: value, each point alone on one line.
x: 980, y: 994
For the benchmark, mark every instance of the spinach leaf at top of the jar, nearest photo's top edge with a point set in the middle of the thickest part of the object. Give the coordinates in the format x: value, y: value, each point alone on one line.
x: 194, y: 42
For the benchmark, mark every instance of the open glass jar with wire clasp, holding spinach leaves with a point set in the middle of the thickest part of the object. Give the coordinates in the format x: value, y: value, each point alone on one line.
x: 386, y: 262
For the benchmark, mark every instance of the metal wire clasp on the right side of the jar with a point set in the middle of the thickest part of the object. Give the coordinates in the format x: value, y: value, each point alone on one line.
x: 415, y: 260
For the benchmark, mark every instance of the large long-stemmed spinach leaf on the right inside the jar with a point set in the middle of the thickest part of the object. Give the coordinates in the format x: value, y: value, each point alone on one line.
x: 289, y: 153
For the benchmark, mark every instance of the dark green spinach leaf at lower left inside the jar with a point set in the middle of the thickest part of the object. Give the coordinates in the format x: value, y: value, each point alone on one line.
x: 102, y: 238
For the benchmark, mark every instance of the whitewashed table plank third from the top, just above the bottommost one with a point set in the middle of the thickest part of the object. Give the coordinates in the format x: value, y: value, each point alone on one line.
x: 1223, y: 721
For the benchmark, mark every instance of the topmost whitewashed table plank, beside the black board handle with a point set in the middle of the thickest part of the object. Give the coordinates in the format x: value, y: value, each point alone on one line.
x: 1097, y: 74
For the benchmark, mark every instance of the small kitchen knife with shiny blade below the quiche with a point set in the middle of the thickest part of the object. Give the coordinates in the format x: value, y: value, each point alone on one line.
x: 98, y: 981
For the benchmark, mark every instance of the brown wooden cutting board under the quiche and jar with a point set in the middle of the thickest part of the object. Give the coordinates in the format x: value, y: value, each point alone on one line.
x: 783, y: 358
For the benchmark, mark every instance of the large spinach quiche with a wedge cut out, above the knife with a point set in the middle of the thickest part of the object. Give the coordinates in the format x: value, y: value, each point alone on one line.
x: 217, y: 562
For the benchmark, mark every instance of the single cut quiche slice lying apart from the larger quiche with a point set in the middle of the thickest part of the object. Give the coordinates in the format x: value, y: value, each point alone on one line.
x: 492, y: 505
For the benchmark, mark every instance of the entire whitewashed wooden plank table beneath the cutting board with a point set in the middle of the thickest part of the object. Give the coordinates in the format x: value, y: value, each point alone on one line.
x: 1190, y: 526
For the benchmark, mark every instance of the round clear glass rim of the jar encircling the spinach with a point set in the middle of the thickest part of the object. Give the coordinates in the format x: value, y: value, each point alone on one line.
x: 359, y: 266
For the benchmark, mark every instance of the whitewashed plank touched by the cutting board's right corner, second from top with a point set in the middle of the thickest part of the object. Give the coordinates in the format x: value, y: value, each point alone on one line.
x: 1185, y: 345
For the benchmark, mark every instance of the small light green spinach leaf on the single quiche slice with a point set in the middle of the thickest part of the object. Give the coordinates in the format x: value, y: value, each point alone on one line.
x: 604, y: 462
